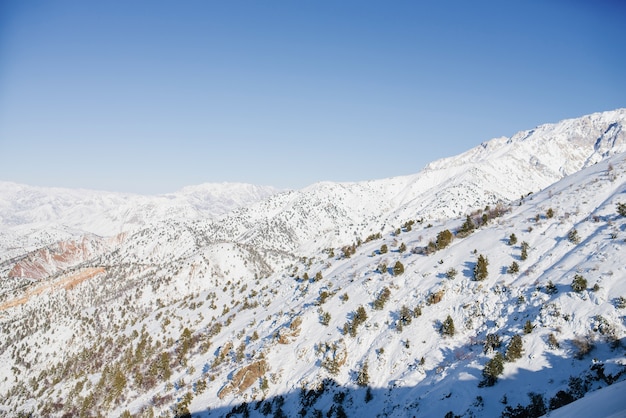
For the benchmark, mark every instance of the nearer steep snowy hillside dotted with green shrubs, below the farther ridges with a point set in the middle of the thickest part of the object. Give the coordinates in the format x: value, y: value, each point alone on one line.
x: 337, y: 333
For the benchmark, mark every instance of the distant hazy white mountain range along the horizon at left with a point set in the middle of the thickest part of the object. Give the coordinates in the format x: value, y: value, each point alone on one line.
x: 33, y: 217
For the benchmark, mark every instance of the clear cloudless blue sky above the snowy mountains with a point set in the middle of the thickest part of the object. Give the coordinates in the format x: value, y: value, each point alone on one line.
x: 150, y: 96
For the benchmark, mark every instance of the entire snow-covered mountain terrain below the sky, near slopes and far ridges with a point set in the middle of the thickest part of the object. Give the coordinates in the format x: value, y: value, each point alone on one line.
x: 338, y: 299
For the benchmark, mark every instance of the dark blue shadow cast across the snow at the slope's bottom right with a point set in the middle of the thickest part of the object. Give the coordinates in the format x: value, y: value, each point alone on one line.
x: 436, y: 396
